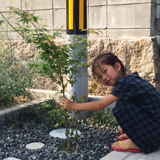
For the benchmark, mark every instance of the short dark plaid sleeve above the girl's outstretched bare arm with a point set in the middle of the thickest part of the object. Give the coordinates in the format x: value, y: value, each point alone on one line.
x: 124, y: 90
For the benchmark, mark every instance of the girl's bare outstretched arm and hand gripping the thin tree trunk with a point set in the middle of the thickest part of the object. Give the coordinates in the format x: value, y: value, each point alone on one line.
x: 89, y: 106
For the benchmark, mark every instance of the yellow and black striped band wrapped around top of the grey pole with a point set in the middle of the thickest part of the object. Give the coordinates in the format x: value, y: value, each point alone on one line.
x: 76, y: 16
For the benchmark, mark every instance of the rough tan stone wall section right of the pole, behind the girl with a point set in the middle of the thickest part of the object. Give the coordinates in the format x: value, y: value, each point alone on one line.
x: 138, y: 55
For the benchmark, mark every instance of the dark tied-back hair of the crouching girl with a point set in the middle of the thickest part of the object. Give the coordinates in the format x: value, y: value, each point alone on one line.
x: 107, y: 58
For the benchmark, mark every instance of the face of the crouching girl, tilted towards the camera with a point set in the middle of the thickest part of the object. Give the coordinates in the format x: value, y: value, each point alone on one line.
x: 108, y: 74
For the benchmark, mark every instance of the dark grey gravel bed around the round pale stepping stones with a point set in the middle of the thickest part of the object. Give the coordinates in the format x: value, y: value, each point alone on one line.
x: 93, y: 143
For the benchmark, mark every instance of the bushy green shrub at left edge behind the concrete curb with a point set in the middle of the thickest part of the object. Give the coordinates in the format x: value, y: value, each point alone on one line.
x: 14, y: 76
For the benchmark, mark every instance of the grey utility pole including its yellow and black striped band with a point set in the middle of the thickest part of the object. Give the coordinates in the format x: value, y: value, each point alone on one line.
x: 76, y: 17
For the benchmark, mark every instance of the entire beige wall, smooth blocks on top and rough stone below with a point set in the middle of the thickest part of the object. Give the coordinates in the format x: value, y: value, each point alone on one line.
x: 129, y: 29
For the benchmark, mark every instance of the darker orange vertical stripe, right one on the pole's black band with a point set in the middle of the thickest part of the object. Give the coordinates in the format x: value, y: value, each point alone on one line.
x: 81, y: 14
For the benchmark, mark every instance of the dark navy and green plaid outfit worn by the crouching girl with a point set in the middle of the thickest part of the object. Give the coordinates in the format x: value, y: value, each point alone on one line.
x: 138, y: 111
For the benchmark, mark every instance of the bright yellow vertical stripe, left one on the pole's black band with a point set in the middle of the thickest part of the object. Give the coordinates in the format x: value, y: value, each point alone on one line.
x: 70, y: 14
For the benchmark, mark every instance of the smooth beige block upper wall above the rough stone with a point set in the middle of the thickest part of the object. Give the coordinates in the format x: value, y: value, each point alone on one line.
x: 114, y: 18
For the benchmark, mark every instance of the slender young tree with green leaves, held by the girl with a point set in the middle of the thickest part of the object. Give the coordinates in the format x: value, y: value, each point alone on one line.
x: 54, y: 61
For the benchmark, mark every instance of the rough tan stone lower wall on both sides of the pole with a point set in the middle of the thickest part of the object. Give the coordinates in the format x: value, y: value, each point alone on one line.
x: 137, y: 54
